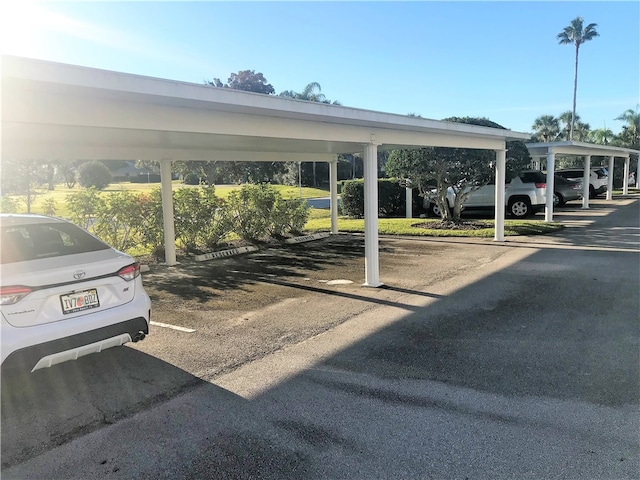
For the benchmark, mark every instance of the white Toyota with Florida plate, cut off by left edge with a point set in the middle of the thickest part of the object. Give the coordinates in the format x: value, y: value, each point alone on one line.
x: 64, y: 293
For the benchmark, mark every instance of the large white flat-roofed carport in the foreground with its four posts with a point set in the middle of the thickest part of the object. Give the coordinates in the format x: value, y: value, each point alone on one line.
x: 59, y: 111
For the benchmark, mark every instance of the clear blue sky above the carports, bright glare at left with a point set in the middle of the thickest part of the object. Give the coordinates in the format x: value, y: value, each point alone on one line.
x: 499, y: 60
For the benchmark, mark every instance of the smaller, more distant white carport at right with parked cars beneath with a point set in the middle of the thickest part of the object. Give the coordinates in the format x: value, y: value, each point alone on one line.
x: 549, y: 150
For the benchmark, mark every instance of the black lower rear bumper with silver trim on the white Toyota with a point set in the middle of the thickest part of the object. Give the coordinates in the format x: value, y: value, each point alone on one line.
x: 69, y: 348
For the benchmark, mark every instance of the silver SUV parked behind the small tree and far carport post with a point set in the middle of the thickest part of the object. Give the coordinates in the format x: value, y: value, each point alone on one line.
x: 525, y: 194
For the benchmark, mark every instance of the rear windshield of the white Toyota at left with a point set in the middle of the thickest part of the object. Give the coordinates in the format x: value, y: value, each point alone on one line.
x: 19, y: 243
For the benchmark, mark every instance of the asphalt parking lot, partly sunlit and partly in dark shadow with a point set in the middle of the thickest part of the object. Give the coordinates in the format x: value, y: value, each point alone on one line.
x: 476, y: 360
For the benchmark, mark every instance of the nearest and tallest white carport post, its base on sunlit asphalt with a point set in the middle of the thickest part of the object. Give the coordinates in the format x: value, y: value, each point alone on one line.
x: 371, y: 254
